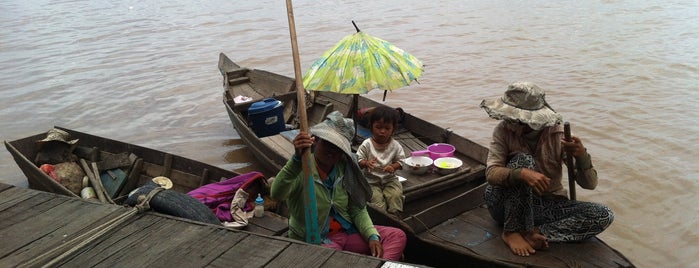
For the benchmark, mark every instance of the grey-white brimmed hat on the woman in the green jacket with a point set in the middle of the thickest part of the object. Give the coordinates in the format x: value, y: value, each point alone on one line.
x: 337, y: 130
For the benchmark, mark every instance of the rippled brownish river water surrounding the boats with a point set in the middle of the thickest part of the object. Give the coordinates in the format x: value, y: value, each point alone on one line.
x: 624, y: 73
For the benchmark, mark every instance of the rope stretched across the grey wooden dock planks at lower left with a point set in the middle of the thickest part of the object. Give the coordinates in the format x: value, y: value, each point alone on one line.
x: 92, y: 234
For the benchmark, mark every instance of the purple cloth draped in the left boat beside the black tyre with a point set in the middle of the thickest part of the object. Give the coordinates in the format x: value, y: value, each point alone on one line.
x: 218, y: 196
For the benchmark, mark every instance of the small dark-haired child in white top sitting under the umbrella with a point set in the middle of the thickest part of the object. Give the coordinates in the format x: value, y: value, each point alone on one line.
x: 379, y: 157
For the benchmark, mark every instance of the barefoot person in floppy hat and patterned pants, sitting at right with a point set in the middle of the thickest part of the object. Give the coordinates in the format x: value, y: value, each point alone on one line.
x: 524, y: 173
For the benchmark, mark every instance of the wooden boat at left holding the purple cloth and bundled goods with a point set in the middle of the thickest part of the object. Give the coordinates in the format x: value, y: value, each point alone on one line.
x: 185, y: 174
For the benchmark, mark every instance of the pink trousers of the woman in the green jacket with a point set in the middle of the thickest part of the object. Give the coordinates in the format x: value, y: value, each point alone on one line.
x: 392, y: 239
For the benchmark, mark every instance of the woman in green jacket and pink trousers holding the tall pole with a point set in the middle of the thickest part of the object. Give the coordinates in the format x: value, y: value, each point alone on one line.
x: 341, y: 193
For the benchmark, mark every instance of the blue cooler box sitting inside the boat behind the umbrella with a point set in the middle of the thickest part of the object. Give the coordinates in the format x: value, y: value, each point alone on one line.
x: 266, y: 117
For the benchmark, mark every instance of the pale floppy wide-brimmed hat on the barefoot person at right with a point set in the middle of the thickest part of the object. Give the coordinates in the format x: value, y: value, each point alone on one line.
x: 523, y: 102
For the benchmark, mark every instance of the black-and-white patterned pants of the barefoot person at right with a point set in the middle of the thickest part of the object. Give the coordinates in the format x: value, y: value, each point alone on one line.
x: 558, y: 218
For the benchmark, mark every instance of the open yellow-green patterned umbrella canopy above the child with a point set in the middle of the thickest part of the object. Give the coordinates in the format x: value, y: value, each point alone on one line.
x: 360, y: 63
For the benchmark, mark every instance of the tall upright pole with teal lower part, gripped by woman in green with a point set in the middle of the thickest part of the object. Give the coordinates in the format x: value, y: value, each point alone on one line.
x: 309, y: 200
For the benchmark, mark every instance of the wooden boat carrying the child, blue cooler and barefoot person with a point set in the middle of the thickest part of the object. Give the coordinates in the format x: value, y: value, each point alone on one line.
x: 444, y: 215
